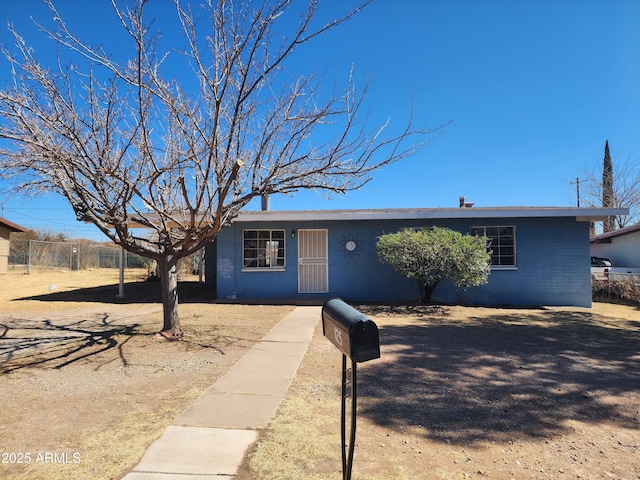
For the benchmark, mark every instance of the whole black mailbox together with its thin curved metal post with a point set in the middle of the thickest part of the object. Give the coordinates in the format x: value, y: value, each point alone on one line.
x: 356, y: 337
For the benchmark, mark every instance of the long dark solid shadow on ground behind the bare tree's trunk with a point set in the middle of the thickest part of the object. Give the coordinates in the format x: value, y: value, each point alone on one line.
x: 134, y: 292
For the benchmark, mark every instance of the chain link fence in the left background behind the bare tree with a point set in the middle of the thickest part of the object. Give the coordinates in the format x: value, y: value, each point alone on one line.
x: 26, y: 255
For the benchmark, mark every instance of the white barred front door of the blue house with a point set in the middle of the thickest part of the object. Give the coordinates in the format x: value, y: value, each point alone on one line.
x: 313, y: 267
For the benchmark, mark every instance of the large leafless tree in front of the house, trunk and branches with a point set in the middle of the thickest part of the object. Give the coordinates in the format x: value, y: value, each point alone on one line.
x: 129, y: 144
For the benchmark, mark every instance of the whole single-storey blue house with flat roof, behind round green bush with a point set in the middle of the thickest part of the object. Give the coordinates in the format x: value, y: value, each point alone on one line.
x: 540, y: 255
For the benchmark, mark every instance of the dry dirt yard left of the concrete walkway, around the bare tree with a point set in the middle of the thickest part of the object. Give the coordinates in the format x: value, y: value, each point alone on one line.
x: 84, y: 385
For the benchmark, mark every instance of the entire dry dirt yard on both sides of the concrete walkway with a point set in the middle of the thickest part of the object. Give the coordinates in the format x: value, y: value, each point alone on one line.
x: 458, y: 393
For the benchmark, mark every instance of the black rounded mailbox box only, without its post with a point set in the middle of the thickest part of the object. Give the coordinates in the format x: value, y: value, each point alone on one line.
x: 350, y: 330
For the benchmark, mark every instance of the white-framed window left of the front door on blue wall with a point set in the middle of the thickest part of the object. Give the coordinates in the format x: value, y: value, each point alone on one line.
x: 263, y: 249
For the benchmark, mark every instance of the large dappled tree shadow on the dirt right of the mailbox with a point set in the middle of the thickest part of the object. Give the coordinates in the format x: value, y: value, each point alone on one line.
x: 504, y: 377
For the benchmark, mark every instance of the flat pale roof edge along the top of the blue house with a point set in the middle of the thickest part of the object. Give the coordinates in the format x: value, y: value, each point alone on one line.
x: 581, y: 214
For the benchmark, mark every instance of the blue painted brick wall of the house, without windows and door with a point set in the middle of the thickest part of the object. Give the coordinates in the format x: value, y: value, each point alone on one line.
x: 552, y: 266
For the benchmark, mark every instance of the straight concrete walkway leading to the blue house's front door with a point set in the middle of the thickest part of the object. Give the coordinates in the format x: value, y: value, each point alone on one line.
x: 210, y: 438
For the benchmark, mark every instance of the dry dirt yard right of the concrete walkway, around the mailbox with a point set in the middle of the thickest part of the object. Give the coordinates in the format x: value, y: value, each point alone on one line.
x: 470, y: 393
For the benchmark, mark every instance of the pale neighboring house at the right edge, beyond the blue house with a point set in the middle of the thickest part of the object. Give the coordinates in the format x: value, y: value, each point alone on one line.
x: 622, y: 246
